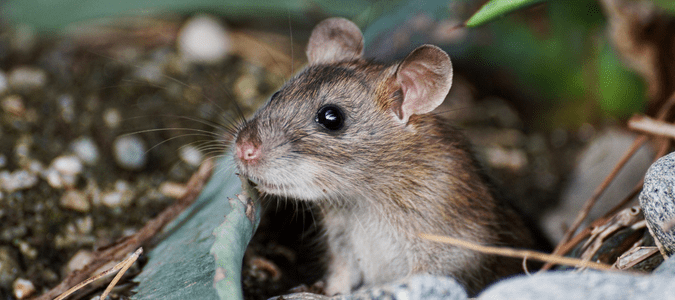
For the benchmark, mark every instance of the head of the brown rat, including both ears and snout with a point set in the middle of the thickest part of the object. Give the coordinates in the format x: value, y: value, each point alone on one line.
x: 339, y: 125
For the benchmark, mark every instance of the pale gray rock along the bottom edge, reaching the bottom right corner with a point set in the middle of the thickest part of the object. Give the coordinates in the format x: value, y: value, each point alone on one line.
x: 587, y: 285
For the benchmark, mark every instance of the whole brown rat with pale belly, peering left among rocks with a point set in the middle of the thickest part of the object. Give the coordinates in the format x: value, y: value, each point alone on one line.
x: 358, y: 138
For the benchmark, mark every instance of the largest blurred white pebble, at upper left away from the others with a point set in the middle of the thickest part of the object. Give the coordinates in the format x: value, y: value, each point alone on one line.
x: 204, y: 40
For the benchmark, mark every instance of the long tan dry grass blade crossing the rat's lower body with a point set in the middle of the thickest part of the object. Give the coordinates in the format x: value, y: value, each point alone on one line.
x: 517, y: 253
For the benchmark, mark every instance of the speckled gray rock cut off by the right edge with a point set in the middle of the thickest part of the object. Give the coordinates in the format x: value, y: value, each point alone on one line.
x: 658, y: 202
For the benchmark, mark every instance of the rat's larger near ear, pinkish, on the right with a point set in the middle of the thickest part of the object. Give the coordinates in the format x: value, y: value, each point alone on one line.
x: 425, y: 77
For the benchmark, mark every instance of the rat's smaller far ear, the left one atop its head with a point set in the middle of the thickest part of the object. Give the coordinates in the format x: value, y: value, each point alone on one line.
x: 333, y: 40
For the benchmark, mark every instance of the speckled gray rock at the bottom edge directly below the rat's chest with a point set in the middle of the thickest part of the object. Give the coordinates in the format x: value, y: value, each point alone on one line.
x: 422, y: 287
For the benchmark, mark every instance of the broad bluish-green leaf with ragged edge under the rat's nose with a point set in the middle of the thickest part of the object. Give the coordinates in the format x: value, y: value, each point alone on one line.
x: 181, y: 265
